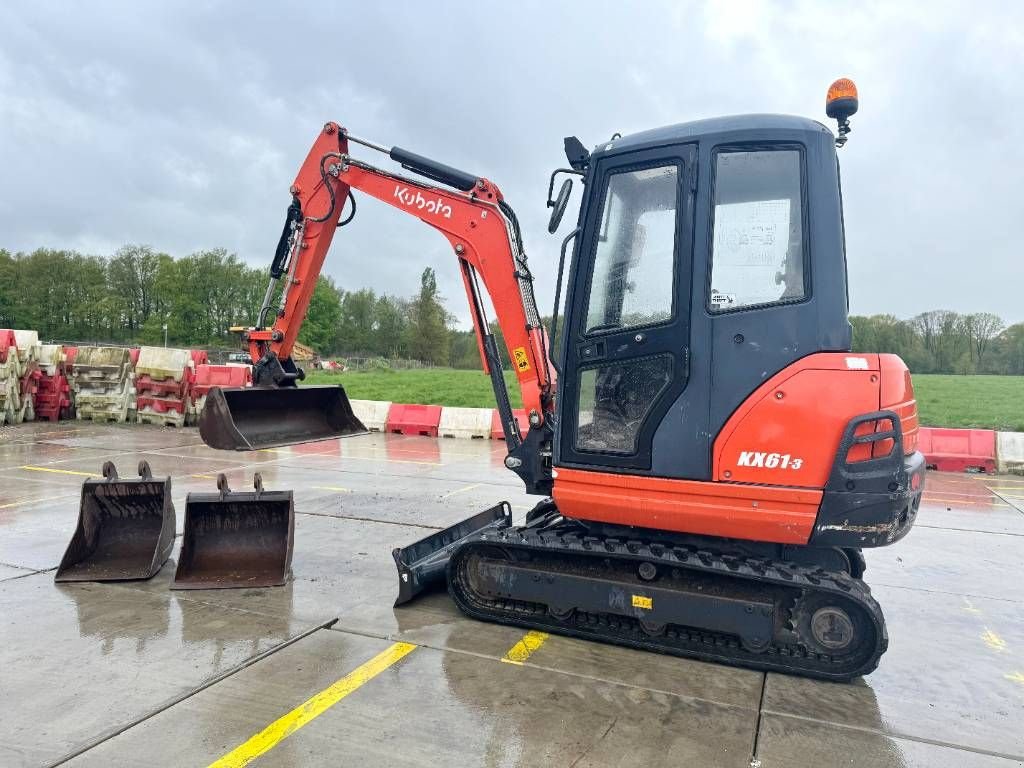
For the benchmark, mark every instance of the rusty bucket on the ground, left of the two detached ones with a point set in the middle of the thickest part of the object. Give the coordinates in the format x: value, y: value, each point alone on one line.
x: 125, y: 529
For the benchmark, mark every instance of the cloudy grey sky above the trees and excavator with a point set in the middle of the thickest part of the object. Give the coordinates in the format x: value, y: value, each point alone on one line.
x: 182, y: 125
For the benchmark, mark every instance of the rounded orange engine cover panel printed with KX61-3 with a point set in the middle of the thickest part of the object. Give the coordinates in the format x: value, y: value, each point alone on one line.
x: 787, y: 433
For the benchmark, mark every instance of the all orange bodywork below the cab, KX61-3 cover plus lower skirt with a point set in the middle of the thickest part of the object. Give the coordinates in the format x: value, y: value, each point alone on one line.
x: 771, y: 461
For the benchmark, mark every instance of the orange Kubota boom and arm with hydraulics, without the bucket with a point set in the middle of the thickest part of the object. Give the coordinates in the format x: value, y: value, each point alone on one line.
x: 485, y: 236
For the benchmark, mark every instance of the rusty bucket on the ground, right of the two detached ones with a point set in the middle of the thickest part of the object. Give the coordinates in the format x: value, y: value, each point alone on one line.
x: 235, y: 540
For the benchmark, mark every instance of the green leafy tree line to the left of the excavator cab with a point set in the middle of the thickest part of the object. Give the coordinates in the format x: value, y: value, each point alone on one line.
x: 132, y: 296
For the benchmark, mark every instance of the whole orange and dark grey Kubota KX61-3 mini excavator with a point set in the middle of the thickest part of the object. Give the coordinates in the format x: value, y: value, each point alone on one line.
x: 716, y: 457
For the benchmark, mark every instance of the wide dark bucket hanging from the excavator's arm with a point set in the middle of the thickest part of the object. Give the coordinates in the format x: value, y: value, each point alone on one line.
x: 253, y: 418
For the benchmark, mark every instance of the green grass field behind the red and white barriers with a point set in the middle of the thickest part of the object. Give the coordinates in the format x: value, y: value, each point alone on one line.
x: 988, y: 402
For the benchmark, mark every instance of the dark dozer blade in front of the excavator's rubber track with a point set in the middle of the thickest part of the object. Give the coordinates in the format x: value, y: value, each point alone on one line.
x: 421, y: 566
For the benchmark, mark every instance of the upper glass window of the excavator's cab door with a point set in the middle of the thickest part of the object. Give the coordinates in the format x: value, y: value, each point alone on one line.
x: 632, y: 282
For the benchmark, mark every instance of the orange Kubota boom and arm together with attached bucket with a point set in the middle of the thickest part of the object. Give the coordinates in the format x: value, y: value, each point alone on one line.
x: 485, y: 237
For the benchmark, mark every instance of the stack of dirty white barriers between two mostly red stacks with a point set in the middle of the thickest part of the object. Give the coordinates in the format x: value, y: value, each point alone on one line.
x: 102, y: 382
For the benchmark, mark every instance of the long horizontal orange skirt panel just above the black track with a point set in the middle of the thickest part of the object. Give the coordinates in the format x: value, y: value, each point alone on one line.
x: 731, y: 510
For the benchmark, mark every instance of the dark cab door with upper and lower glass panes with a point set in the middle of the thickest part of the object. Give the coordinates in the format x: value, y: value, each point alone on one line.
x: 627, y: 345
